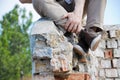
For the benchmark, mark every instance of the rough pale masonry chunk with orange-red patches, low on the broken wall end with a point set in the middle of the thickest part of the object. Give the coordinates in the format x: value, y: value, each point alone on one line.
x: 60, y: 63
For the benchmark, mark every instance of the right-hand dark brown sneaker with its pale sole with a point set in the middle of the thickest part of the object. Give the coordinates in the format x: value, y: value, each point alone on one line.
x: 91, y: 38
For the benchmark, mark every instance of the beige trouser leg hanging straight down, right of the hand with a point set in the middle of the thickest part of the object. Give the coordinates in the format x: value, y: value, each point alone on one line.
x: 95, y: 13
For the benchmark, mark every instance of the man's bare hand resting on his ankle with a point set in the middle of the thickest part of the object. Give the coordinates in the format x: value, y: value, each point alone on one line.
x: 74, y: 22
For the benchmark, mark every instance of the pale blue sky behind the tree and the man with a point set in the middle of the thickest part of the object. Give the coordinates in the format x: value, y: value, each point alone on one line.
x: 111, y: 17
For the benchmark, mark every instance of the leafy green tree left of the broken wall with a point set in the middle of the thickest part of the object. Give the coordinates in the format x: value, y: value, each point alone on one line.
x: 14, y: 44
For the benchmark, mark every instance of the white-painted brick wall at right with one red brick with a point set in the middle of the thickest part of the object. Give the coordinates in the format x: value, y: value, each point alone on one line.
x: 109, y: 62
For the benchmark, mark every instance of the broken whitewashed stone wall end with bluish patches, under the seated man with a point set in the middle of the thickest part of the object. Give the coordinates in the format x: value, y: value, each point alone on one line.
x: 48, y: 43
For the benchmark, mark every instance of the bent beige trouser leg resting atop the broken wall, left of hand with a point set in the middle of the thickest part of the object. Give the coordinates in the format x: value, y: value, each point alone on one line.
x: 49, y: 8
